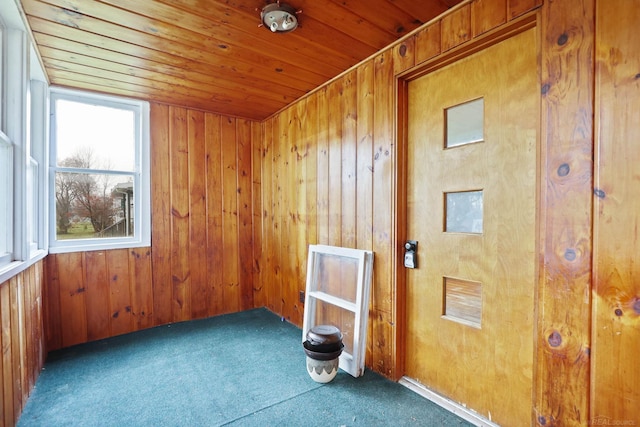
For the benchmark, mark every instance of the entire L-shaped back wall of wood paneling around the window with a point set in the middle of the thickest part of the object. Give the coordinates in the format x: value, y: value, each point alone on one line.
x: 200, y: 260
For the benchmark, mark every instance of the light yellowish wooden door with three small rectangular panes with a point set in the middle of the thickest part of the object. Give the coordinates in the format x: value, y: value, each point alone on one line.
x: 471, y: 205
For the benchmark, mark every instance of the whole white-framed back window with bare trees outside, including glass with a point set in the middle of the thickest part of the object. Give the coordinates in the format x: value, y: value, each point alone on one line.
x: 99, y: 189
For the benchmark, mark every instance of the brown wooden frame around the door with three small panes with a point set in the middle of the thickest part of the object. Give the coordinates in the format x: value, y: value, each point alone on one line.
x: 512, y: 28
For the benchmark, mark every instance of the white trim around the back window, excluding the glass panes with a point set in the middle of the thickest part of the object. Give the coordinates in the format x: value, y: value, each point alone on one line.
x: 142, y: 181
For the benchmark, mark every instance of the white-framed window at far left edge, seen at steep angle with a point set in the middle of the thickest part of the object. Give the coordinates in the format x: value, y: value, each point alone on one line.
x: 23, y: 148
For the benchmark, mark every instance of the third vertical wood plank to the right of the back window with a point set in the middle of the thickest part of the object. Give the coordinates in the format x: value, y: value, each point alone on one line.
x: 200, y: 292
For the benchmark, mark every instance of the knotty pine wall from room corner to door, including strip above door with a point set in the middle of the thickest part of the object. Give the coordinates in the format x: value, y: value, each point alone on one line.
x: 330, y: 166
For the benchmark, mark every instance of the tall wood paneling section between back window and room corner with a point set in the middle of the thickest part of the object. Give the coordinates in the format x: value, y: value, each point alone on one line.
x: 202, y: 207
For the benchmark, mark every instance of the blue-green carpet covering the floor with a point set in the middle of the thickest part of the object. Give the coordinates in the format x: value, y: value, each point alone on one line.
x: 243, y: 369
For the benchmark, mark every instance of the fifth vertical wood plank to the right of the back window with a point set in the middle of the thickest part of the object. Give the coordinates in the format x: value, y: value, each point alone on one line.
x: 230, y: 294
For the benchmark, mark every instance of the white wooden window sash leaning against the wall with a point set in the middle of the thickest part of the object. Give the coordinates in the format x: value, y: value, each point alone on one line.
x: 352, y: 363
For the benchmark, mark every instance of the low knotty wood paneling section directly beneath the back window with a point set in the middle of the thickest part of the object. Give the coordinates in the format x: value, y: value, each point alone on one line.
x: 97, y: 294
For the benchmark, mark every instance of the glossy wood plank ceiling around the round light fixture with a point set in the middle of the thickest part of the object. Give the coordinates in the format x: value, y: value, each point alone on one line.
x: 212, y: 54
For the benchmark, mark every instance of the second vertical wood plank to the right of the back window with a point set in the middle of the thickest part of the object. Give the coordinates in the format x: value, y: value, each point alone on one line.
x: 180, y: 215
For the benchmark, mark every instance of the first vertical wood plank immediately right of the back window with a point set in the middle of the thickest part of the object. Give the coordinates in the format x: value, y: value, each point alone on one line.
x: 161, y: 213
